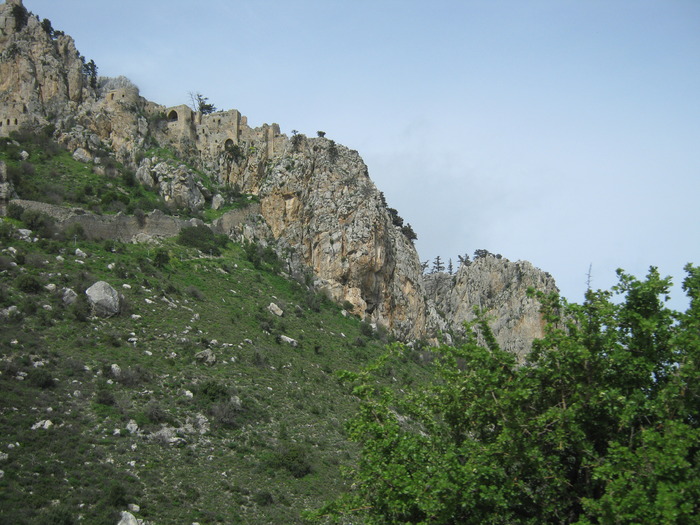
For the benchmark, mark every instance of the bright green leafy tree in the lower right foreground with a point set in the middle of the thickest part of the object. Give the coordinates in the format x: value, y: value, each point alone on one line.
x: 601, y: 425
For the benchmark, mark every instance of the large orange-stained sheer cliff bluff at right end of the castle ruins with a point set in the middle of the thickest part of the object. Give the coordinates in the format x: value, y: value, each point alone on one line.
x: 320, y: 201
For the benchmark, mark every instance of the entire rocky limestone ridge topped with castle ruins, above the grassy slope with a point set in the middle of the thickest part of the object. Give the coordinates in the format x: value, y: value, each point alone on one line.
x: 318, y: 206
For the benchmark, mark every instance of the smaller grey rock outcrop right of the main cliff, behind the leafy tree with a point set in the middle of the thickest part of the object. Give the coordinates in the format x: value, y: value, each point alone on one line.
x: 499, y: 287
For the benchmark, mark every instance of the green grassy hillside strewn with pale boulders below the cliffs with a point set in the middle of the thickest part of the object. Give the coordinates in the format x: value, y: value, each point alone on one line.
x: 137, y: 413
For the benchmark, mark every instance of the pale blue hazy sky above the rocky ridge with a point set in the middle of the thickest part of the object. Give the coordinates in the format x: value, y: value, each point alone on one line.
x: 565, y: 133
